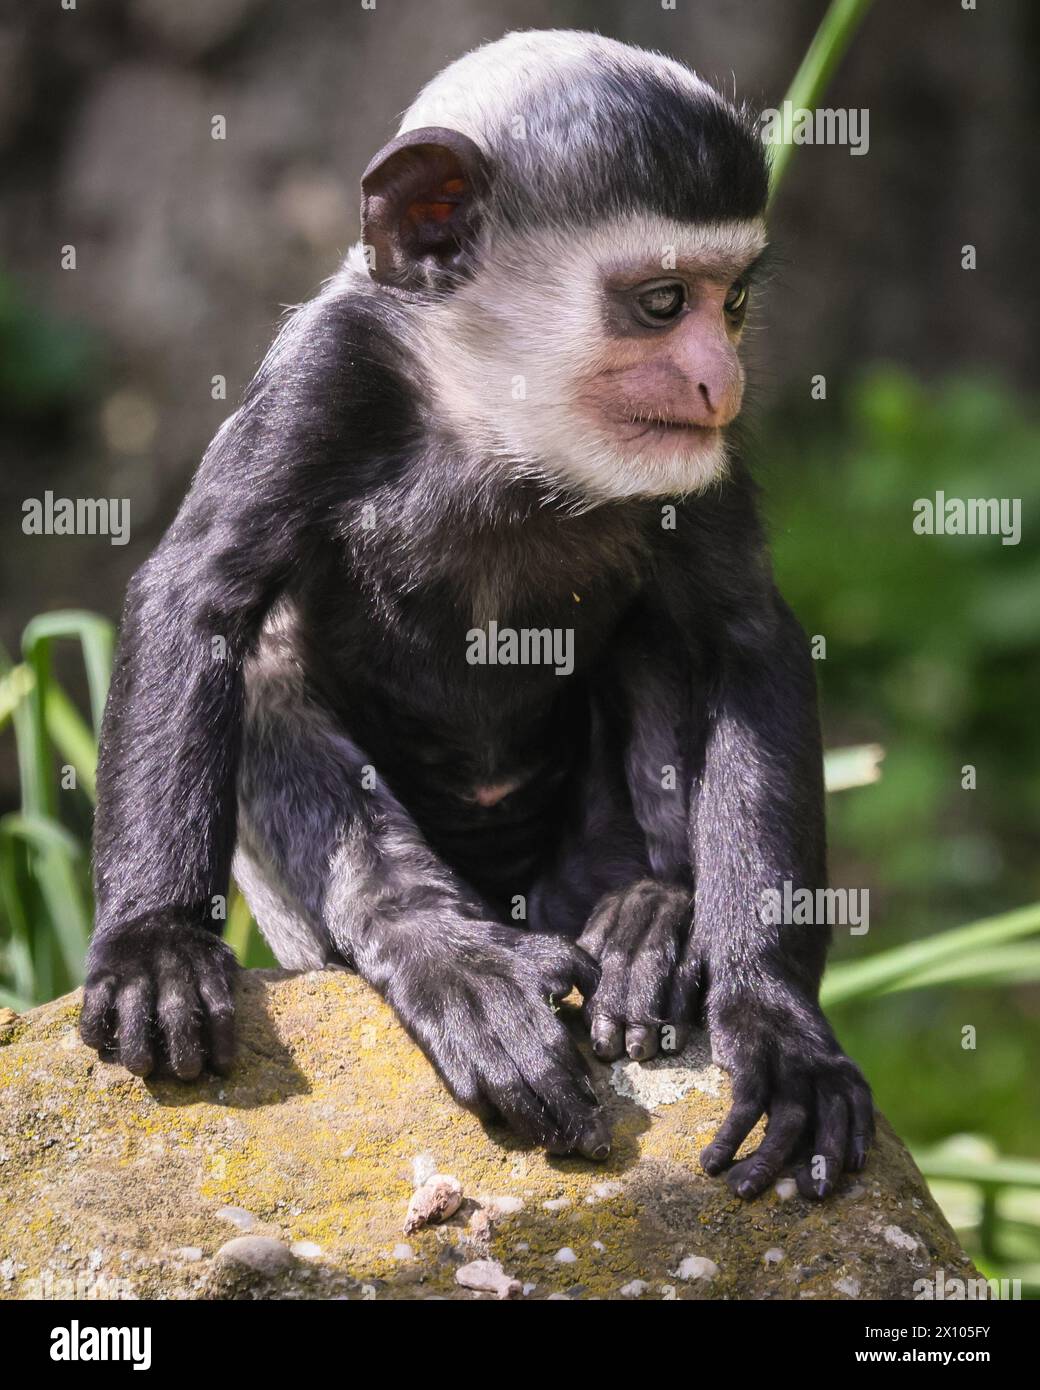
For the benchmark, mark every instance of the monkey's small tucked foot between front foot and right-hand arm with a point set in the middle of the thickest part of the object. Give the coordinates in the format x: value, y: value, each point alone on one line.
x: 650, y: 975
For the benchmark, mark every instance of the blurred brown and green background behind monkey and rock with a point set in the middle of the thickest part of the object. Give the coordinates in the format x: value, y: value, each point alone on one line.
x: 187, y: 251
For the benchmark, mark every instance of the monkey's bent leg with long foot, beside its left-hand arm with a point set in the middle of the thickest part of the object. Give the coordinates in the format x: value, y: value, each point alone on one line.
x: 339, y: 872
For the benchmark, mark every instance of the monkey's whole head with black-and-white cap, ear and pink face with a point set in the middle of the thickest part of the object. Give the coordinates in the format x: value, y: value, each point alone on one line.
x: 579, y: 223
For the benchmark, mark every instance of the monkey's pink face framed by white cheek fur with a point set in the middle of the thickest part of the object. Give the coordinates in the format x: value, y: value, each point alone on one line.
x: 603, y: 361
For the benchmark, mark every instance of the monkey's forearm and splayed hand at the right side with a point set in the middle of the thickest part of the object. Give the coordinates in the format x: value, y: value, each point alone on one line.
x: 758, y: 825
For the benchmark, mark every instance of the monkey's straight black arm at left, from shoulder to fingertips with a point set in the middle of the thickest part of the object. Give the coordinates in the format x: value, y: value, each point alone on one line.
x: 158, y: 976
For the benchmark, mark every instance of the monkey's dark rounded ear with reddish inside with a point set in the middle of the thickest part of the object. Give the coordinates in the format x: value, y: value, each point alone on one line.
x: 419, y: 208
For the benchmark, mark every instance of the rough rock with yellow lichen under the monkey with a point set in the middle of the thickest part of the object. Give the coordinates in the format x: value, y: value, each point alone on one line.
x: 320, y: 1134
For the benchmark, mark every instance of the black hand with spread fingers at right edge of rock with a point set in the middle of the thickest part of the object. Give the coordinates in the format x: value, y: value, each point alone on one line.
x: 786, y: 1064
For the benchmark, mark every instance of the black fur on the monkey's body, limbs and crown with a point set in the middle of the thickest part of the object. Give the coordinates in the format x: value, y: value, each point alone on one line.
x: 686, y: 658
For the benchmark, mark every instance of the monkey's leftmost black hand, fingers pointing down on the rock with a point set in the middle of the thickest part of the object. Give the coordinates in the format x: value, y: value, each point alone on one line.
x: 159, y: 999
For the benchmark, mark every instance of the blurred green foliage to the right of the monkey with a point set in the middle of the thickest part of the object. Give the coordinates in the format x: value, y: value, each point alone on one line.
x: 934, y: 653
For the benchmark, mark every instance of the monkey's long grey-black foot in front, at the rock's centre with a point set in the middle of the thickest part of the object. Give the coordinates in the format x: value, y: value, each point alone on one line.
x: 485, y: 1015
